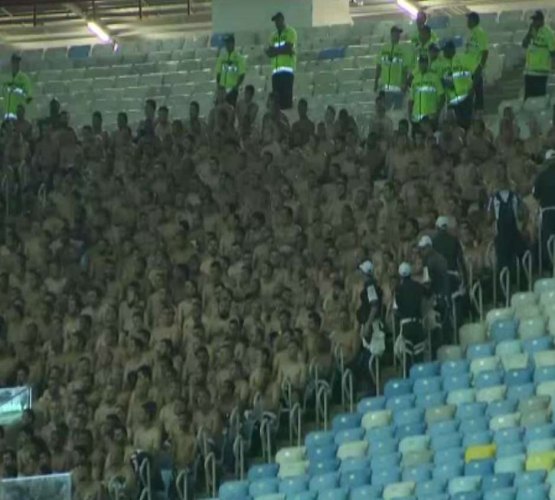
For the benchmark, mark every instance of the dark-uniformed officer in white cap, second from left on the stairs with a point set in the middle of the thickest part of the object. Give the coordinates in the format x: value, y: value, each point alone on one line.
x: 408, y: 305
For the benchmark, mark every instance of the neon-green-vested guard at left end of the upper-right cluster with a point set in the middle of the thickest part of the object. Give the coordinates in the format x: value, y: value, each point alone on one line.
x: 391, y: 71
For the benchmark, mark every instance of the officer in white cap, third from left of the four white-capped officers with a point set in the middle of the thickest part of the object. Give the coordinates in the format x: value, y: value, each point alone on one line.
x: 436, y: 279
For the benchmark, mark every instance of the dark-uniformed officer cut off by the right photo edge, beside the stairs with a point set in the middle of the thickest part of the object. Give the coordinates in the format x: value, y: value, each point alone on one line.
x: 544, y: 192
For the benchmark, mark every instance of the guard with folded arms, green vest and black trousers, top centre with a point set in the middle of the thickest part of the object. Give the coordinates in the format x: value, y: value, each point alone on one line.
x: 283, y: 58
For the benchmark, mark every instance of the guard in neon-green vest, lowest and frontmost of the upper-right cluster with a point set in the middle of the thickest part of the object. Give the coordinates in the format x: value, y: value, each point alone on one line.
x: 426, y: 95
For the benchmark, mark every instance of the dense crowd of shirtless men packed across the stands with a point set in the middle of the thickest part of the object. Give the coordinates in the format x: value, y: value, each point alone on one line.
x: 166, y: 275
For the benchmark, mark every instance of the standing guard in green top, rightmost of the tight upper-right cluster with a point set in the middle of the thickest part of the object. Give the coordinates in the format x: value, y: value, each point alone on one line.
x: 477, y: 49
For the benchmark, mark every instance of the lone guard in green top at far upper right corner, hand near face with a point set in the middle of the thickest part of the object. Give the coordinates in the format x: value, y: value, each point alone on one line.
x: 539, y: 43
